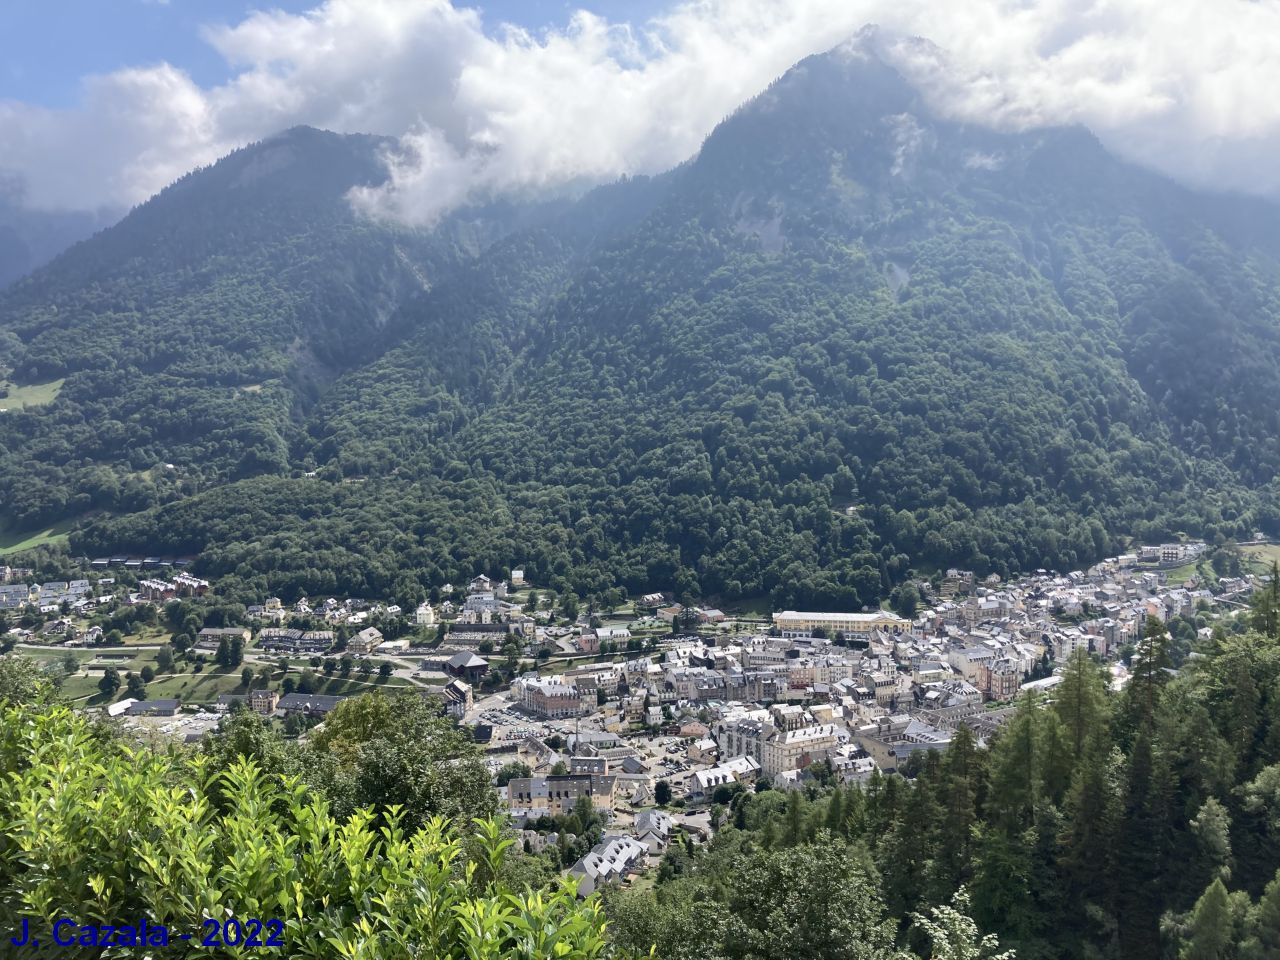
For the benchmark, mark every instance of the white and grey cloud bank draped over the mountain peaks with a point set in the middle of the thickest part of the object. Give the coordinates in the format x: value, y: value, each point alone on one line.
x: 1180, y: 85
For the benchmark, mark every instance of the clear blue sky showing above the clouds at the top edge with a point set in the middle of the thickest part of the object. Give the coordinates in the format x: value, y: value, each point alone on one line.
x: 47, y: 47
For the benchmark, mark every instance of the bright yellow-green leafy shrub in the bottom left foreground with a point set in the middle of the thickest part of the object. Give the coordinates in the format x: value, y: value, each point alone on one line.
x: 103, y: 834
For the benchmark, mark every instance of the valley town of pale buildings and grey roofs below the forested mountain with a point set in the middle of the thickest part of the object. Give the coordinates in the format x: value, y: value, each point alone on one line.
x: 646, y: 719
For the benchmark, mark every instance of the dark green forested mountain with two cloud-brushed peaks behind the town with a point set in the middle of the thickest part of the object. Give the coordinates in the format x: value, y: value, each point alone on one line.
x: 848, y: 340
